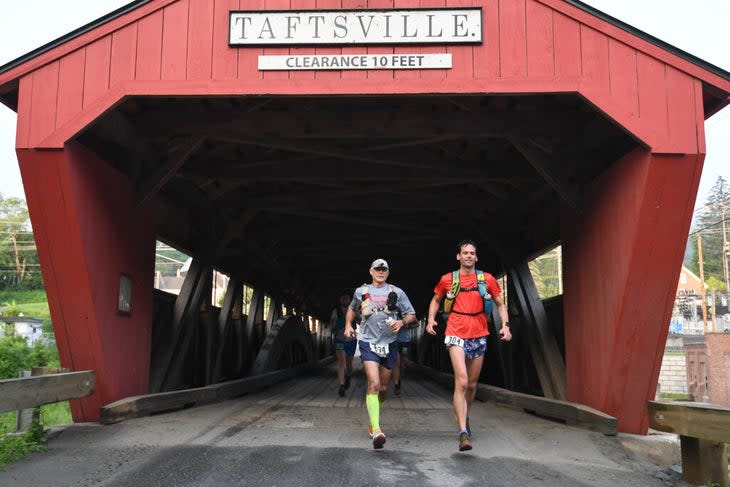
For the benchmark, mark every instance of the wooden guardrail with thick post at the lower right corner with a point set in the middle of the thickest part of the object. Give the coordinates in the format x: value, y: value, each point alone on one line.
x: 704, y: 432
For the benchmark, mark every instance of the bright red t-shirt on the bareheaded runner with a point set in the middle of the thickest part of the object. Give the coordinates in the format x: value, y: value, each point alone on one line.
x: 461, y: 325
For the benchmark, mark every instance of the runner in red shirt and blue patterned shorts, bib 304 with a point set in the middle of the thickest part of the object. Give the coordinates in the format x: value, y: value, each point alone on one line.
x: 466, y: 331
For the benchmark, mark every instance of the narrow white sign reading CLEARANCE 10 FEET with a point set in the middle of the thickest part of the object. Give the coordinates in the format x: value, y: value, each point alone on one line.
x: 354, y: 61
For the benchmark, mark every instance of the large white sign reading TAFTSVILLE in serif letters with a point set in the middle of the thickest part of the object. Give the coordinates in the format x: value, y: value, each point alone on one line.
x: 356, y: 27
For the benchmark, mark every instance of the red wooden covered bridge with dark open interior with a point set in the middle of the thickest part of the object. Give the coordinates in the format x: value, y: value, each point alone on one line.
x: 538, y: 123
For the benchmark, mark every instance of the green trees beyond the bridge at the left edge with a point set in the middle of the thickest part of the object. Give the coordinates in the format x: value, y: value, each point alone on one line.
x: 18, y: 258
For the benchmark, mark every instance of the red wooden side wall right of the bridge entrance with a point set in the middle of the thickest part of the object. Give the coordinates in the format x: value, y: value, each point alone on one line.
x: 621, y: 259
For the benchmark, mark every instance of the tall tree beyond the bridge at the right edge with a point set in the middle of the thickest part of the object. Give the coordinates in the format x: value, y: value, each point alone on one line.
x: 708, y: 224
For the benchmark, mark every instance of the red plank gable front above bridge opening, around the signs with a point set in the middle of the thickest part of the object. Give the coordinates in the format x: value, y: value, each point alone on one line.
x: 523, y: 41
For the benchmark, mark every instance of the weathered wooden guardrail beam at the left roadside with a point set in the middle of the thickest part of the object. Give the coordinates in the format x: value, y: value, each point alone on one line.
x: 30, y: 392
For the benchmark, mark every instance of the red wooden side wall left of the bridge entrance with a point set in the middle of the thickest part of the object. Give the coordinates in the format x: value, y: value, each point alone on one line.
x: 83, y: 212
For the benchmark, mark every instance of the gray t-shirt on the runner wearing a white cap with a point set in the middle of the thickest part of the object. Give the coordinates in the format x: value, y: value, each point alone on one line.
x: 374, y: 328
